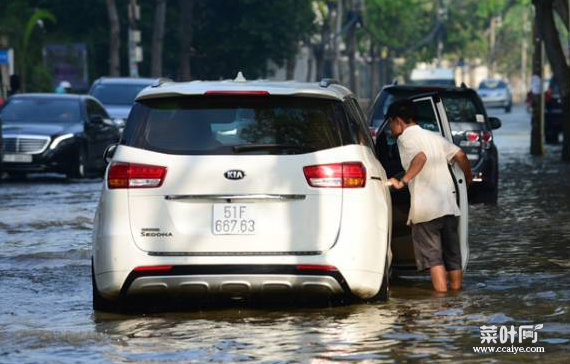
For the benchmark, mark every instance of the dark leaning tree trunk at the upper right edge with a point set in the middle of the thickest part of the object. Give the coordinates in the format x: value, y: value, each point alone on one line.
x: 550, y: 35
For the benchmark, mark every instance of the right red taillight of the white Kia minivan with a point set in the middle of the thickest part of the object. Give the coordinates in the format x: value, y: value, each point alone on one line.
x: 336, y: 175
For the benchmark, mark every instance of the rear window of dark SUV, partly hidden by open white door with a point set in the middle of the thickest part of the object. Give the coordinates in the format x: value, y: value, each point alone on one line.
x: 460, y: 107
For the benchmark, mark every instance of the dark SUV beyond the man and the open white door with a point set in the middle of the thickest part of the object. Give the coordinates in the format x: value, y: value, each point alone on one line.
x: 470, y: 125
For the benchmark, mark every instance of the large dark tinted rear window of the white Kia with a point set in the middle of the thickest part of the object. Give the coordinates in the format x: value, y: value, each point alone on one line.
x: 198, y: 125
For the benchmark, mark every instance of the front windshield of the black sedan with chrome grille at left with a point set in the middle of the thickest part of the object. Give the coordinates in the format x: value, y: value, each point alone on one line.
x: 41, y: 110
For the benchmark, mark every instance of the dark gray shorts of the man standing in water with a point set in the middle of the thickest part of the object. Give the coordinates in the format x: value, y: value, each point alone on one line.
x: 436, y: 242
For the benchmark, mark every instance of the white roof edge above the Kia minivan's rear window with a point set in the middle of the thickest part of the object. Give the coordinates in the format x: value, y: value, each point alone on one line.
x: 284, y: 88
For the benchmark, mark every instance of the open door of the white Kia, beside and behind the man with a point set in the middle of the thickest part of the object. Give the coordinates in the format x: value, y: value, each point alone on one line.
x: 431, y: 116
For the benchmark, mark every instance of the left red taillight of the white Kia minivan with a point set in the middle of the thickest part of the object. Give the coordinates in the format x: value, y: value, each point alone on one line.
x: 131, y: 175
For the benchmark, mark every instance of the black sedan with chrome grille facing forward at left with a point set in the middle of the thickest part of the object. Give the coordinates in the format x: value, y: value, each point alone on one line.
x: 55, y: 133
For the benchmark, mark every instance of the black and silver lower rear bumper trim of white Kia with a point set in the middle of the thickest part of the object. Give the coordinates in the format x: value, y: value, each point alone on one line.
x: 236, y: 281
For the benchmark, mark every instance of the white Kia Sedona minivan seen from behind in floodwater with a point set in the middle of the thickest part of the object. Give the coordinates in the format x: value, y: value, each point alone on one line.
x: 242, y: 189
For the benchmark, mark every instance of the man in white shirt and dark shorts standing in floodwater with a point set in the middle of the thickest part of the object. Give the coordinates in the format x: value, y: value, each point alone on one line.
x: 434, y: 213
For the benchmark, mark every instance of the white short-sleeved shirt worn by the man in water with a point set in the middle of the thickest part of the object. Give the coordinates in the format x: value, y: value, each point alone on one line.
x: 432, y: 190
